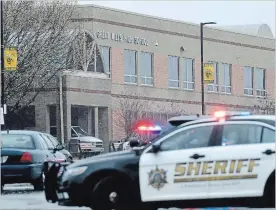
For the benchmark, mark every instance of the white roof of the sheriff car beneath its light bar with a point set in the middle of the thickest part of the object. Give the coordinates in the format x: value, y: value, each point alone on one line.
x: 234, y: 118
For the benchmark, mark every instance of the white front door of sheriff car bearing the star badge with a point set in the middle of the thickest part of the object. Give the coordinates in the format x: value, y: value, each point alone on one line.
x: 178, y: 171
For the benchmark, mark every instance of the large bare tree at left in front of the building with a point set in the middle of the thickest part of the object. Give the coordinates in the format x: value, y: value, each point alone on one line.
x: 41, y: 32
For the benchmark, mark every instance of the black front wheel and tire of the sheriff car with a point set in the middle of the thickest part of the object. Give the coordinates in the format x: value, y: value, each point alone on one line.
x: 110, y: 194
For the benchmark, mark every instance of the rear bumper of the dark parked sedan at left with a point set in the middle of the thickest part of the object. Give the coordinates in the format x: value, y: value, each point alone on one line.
x: 20, y: 173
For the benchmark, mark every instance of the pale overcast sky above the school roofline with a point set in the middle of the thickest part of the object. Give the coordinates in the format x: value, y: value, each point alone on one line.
x: 222, y: 12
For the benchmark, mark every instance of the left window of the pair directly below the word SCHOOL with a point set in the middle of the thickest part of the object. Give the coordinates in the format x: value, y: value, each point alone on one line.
x: 130, y: 64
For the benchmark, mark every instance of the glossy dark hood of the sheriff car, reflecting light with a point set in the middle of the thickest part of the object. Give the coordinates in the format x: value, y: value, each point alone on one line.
x: 104, y: 157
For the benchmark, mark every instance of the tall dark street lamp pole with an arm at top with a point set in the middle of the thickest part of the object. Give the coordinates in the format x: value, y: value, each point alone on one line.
x: 202, y: 71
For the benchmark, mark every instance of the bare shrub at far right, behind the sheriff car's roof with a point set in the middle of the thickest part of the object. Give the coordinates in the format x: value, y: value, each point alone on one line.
x: 266, y: 106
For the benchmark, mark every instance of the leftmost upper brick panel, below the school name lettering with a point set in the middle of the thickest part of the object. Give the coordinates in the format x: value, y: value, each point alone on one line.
x: 117, y: 65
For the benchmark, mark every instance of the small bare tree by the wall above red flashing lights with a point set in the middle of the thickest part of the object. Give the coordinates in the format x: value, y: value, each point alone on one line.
x: 128, y: 112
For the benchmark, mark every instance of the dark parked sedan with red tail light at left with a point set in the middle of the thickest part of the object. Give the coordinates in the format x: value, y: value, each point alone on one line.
x: 24, y: 156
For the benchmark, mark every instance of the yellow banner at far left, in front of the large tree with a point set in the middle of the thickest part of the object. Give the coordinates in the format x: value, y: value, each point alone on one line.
x: 10, y: 59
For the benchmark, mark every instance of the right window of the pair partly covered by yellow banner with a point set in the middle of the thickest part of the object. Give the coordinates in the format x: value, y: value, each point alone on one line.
x: 225, y: 77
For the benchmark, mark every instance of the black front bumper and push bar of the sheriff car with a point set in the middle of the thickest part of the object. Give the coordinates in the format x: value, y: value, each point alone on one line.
x: 66, y: 193
